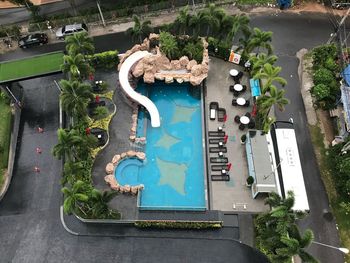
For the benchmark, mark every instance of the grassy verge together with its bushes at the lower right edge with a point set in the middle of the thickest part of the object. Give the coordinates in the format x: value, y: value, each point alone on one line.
x: 328, y: 162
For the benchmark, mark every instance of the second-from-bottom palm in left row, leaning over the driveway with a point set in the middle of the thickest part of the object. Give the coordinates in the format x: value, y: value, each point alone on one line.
x: 67, y: 140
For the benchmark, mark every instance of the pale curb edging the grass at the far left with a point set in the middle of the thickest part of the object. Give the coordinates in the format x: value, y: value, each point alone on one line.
x: 12, y: 152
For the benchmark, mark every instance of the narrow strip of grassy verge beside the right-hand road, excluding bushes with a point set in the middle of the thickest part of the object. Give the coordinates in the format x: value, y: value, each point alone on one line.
x: 341, y: 218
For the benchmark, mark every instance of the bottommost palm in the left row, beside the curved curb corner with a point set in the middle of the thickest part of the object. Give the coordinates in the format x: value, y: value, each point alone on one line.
x: 75, y: 197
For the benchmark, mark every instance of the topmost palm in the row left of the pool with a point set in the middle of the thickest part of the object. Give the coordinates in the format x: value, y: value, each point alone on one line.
x: 79, y: 43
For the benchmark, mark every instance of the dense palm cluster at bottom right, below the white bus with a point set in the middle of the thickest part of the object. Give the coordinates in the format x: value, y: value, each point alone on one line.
x: 277, y: 234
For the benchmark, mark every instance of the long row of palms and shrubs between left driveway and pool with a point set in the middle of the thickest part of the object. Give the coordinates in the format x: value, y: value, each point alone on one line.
x: 75, y: 144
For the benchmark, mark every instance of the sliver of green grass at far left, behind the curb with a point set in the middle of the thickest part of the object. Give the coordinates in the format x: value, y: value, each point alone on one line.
x: 5, y: 134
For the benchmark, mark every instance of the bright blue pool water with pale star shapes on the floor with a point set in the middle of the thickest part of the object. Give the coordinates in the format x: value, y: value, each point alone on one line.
x: 173, y: 172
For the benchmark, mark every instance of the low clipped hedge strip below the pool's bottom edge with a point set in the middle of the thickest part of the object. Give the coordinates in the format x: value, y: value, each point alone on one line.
x: 178, y: 224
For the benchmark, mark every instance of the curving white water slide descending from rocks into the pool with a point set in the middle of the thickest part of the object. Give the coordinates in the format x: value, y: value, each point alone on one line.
x: 143, y: 100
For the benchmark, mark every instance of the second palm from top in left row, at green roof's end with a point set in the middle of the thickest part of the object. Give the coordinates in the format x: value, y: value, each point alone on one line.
x: 76, y: 65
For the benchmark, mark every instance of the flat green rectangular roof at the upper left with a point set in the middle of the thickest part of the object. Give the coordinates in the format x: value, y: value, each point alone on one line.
x: 31, y: 66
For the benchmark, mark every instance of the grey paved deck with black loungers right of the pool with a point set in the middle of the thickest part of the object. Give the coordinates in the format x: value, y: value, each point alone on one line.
x: 233, y: 196
